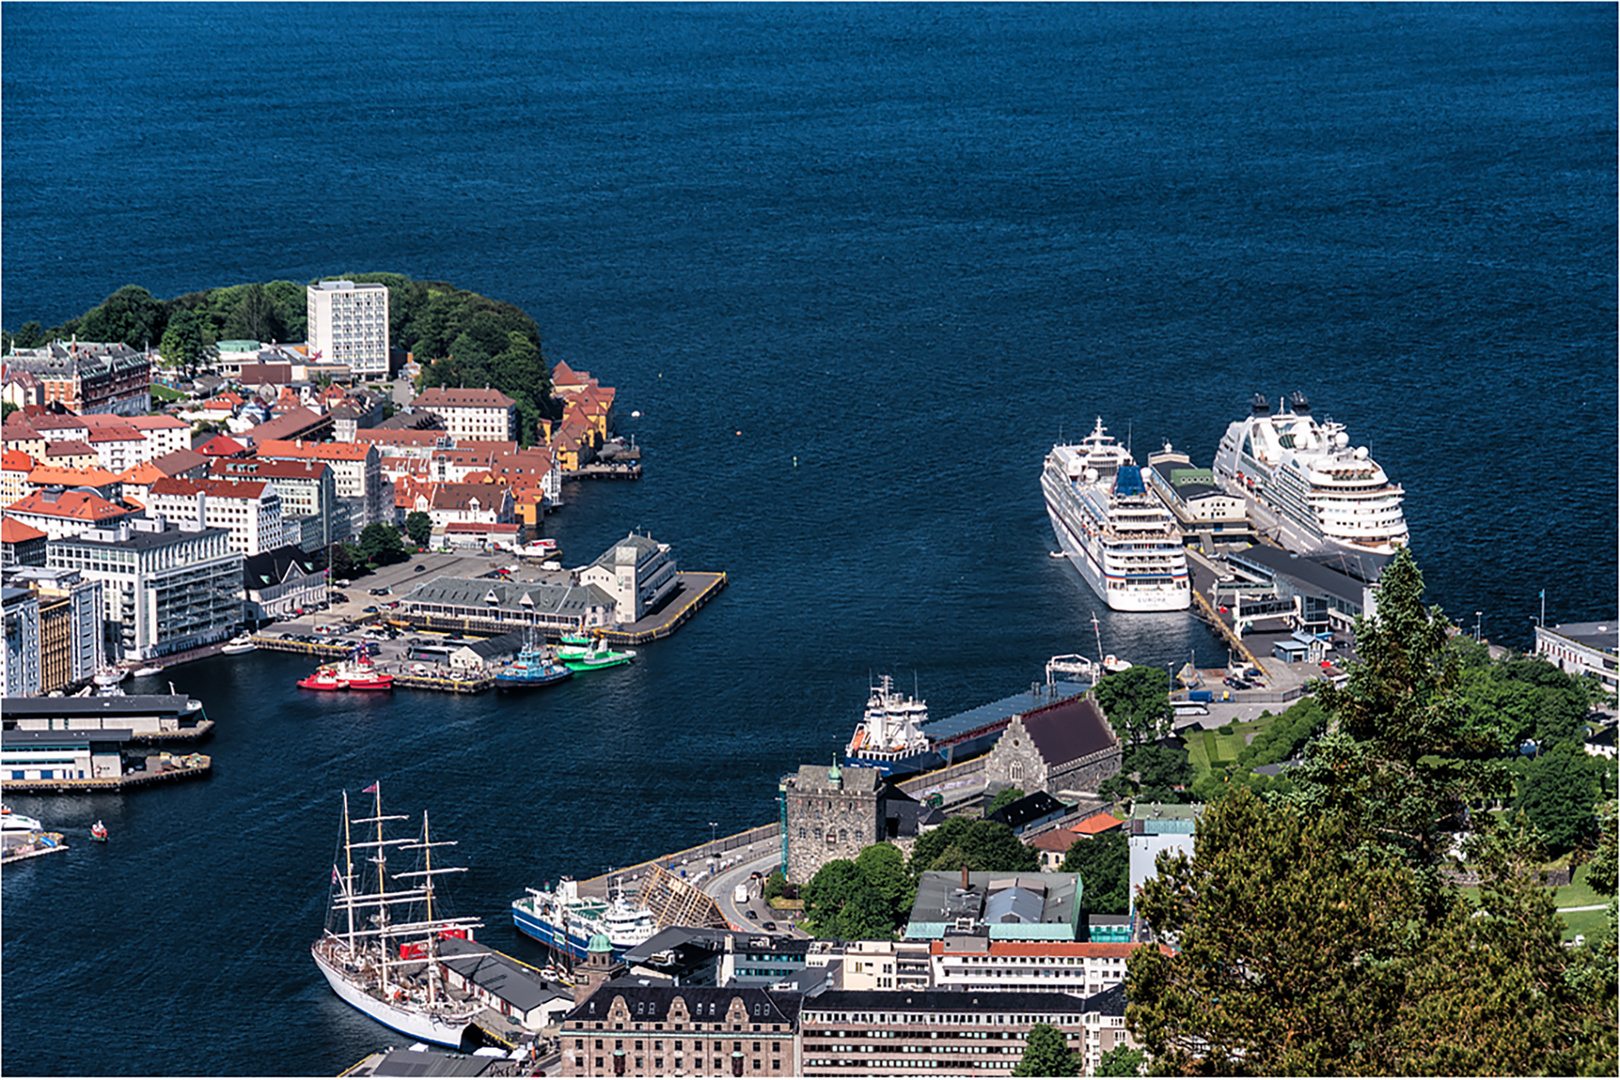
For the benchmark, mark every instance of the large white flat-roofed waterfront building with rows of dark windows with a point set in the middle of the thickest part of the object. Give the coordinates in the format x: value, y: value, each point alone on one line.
x: 168, y: 589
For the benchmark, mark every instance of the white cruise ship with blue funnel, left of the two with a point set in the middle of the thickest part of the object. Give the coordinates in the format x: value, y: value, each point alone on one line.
x: 1114, y: 529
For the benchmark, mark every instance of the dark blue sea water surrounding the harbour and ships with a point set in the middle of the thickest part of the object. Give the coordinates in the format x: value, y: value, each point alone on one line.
x: 858, y: 268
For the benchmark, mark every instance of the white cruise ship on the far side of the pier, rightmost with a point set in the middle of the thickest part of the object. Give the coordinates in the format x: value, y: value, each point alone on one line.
x: 1307, y: 487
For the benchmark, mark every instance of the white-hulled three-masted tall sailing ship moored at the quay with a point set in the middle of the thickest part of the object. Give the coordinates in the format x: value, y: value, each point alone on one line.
x: 380, y: 950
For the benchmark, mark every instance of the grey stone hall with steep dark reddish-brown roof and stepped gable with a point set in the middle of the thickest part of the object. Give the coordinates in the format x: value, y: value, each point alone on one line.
x: 1065, y: 747
